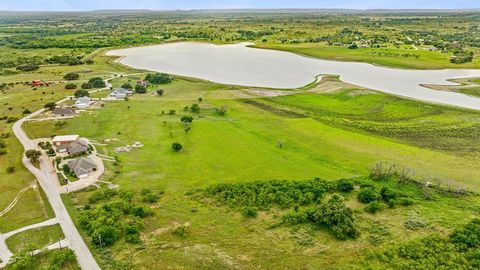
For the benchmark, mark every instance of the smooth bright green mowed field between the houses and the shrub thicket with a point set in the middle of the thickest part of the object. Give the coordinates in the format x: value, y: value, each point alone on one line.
x: 242, y: 146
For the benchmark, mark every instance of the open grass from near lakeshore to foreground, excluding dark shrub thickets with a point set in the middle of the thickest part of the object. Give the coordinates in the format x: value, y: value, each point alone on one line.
x: 321, y: 136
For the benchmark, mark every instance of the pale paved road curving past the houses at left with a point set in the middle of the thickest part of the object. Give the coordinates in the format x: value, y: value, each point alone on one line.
x: 47, y: 180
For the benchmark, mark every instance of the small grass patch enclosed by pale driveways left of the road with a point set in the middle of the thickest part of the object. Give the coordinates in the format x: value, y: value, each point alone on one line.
x: 37, y: 238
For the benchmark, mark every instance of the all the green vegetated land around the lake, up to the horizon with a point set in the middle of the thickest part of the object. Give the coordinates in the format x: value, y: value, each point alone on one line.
x: 239, y: 194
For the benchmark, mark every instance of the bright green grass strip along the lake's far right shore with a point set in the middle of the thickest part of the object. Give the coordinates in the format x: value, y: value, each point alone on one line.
x: 379, y: 56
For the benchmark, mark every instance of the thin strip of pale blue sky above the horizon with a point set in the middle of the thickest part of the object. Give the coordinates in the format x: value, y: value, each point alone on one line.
x: 51, y: 5
